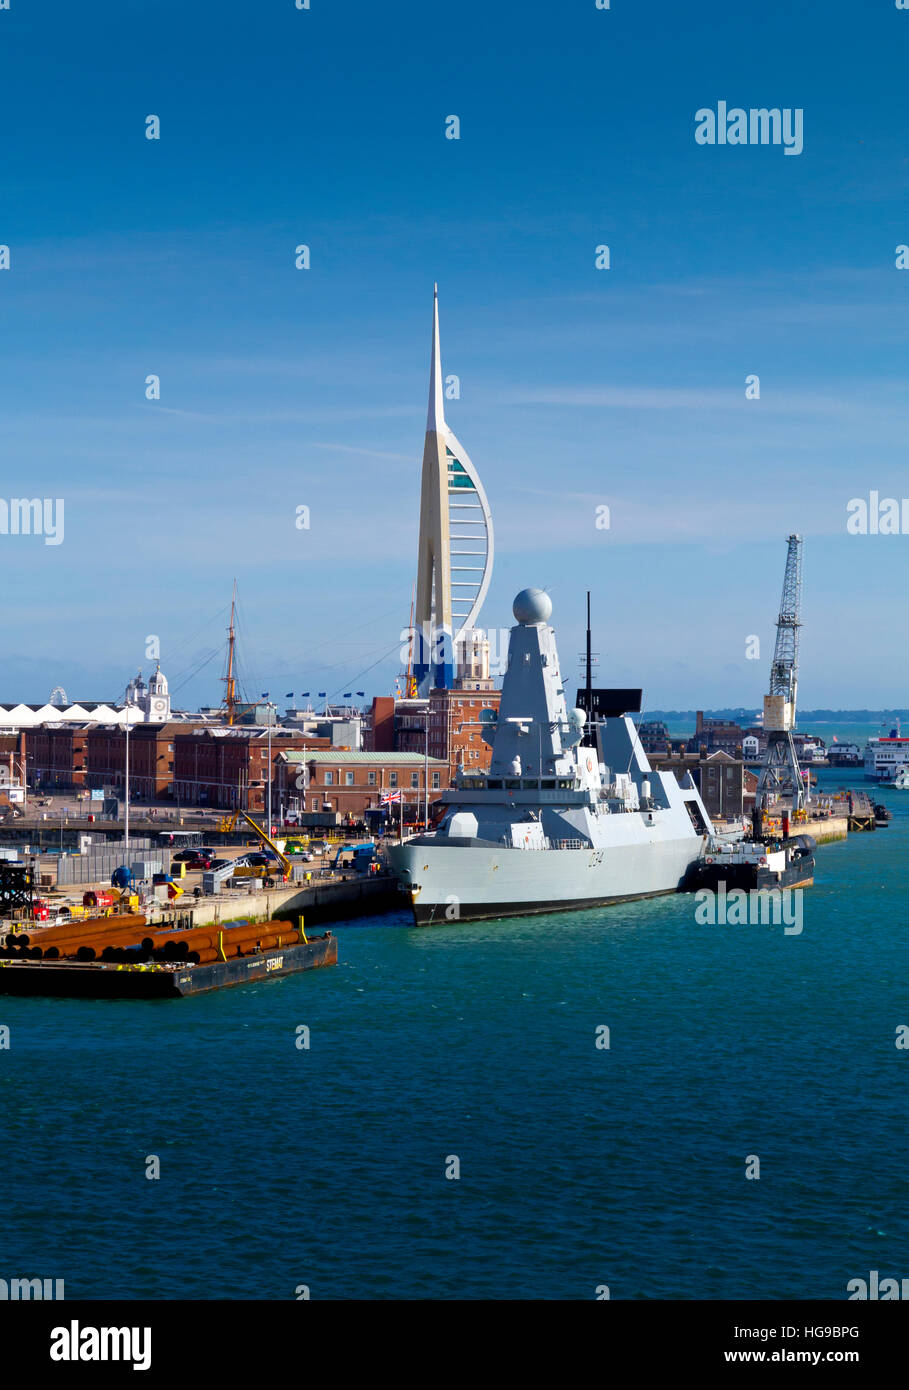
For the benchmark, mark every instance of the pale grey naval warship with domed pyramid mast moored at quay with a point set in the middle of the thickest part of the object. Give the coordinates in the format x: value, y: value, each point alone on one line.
x: 555, y: 824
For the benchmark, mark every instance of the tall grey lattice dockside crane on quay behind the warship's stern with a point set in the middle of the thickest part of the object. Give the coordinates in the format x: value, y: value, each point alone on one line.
x: 780, y: 775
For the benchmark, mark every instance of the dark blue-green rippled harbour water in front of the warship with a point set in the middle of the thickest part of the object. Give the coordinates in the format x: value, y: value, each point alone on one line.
x: 579, y: 1167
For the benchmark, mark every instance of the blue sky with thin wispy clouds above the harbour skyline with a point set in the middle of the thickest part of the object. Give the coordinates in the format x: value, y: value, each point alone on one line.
x: 579, y: 387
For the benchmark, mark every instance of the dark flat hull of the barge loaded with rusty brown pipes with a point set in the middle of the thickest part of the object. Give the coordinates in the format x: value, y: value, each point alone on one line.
x: 99, y: 981
